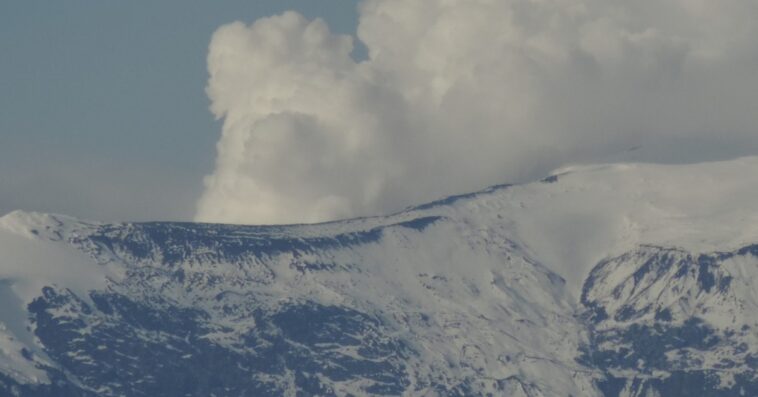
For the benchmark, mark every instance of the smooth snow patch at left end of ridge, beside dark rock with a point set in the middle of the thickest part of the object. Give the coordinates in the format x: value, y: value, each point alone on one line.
x: 35, y: 254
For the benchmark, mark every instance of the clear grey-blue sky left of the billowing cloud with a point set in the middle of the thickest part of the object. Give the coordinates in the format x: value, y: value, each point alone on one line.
x: 103, y: 112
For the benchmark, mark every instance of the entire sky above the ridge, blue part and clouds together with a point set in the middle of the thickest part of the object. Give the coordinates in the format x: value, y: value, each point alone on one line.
x: 137, y: 111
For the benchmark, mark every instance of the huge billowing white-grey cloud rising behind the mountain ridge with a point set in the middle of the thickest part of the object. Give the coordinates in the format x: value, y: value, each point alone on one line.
x: 457, y: 95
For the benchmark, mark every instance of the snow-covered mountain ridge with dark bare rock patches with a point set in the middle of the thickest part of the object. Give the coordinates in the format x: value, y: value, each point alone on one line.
x: 617, y: 280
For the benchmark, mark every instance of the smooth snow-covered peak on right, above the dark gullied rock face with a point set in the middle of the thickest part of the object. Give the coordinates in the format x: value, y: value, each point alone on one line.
x: 584, y: 214
